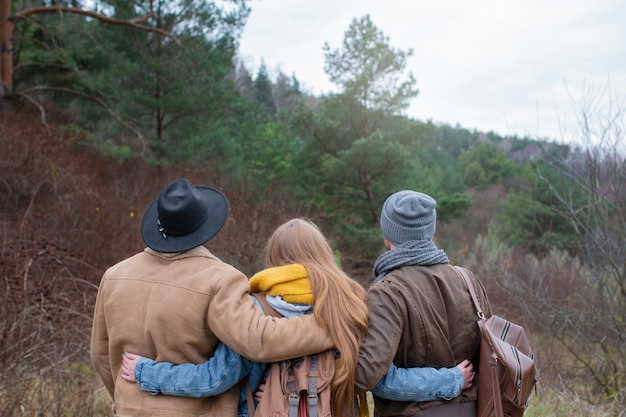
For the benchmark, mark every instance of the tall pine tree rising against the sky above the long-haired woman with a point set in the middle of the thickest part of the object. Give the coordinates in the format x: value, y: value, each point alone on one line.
x: 351, y: 164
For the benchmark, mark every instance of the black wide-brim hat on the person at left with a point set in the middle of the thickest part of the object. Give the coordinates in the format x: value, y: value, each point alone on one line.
x: 183, y: 216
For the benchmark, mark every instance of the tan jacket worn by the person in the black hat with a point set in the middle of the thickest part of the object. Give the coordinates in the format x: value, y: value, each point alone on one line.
x: 176, y: 308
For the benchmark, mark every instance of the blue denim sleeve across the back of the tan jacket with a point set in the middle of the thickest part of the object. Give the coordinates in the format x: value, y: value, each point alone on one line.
x: 216, y: 376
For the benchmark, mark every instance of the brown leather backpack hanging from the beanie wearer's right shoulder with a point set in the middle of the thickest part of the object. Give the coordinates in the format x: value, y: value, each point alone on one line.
x: 506, y: 369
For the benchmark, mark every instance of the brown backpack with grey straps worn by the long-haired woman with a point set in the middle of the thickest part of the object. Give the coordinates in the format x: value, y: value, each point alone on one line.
x: 298, y: 387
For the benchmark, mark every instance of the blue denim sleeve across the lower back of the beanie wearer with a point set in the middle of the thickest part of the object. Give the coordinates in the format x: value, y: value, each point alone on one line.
x: 419, y: 384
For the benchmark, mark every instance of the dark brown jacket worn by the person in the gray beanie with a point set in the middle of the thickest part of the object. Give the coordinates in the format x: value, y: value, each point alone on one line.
x: 419, y: 316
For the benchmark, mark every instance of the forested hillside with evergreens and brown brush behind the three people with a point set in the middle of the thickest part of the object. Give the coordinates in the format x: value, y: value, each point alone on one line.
x: 105, y: 102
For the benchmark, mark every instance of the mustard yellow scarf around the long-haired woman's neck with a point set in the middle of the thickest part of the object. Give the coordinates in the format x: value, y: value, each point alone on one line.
x: 291, y: 282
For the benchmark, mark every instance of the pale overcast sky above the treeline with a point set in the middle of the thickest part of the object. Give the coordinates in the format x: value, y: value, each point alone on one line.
x: 515, y: 67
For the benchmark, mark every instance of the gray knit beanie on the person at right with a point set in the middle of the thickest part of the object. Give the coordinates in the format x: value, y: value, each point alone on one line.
x: 408, y: 215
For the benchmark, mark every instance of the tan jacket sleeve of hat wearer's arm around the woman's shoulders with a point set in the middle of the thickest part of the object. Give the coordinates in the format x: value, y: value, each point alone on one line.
x: 236, y: 320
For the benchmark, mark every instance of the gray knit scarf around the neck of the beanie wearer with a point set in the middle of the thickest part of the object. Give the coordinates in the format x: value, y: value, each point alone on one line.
x: 412, y: 252
